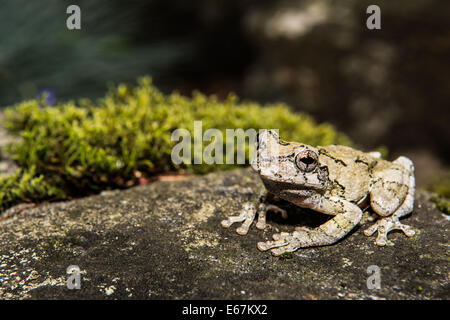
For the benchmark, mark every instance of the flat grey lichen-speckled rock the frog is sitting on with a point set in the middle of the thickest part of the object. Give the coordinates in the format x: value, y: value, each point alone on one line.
x: 164, y: 241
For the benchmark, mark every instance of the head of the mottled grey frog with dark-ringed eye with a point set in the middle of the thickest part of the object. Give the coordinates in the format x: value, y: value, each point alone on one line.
x: 289, y: 169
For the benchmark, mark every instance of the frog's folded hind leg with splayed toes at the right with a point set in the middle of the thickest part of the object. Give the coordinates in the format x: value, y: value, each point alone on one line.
x: 382, y: 206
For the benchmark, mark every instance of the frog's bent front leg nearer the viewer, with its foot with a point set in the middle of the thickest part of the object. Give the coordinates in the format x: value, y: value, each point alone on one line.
x: 347, y: 216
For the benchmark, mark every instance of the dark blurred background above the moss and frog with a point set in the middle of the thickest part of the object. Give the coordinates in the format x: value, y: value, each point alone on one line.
x: 386, y: 87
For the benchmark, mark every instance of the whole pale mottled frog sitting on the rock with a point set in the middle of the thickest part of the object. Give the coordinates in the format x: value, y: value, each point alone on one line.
x: 335, y: 180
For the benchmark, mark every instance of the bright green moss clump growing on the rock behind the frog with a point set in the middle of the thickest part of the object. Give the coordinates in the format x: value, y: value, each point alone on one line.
x: 86, y: 147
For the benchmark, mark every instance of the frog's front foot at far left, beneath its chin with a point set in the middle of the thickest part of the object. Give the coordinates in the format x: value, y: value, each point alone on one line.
x: 248, y: 215
